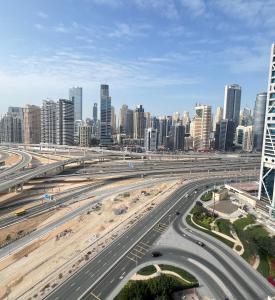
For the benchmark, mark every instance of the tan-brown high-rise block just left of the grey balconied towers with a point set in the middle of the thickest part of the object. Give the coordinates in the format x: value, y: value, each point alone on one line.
x: 32, y: 124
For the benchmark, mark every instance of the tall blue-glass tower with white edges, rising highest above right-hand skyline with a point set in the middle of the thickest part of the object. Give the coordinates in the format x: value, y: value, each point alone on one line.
x: 232, y: 103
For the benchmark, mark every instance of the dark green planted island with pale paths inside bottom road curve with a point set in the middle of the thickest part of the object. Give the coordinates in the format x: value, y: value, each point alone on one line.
x: 160, y: 287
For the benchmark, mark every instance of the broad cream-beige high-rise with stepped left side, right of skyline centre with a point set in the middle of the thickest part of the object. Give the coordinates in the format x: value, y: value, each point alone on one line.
x: 201, y: 128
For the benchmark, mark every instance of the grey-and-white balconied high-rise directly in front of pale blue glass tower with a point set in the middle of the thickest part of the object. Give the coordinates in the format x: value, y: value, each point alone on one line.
x: 65, y: 122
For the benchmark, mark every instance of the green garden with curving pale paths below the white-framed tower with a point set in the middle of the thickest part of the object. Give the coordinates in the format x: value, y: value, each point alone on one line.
x: 255, y: 238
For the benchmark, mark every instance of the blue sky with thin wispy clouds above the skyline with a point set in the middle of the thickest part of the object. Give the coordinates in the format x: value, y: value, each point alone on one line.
x: 164, y: 54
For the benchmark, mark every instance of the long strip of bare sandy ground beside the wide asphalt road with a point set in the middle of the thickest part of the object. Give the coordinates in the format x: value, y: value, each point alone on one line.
x: 68, y: 240
